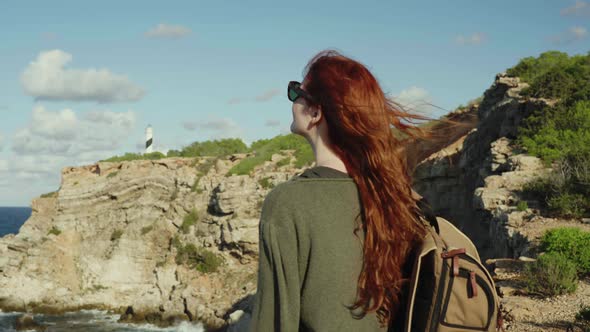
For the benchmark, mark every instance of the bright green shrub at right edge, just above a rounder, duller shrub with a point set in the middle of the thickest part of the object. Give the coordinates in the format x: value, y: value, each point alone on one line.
x: 572, y: 243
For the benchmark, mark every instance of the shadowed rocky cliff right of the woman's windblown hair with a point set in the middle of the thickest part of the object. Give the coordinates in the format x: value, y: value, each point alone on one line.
x: 476, y: 181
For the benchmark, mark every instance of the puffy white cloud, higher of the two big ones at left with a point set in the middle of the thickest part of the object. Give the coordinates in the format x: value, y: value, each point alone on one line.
x: 47, y: 79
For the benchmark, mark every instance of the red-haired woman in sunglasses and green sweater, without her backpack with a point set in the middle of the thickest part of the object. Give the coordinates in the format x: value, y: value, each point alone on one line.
x: 334, y: 240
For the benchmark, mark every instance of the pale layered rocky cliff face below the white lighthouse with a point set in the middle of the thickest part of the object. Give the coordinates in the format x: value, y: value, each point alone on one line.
x: 111, y: 236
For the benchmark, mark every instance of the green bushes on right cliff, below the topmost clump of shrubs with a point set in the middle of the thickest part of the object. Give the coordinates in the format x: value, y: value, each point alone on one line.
x: 561, y: 137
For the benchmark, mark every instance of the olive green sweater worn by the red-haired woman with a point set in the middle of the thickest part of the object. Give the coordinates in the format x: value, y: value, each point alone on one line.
x: 310, y: 260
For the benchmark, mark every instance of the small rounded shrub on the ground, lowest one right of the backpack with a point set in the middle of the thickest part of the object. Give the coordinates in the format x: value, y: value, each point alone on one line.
x: 551, y: 274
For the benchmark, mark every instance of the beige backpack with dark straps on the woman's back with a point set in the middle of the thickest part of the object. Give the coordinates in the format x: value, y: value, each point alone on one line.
x: 449, y: 289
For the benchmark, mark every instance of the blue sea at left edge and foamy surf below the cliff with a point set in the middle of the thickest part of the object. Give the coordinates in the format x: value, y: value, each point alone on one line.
x: 11, y: 219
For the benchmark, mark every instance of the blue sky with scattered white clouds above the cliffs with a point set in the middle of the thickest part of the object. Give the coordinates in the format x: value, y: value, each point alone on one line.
x: 80, y: 82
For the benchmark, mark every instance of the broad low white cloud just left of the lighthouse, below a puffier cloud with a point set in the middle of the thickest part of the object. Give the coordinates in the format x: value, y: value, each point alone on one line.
x: 62, y: 133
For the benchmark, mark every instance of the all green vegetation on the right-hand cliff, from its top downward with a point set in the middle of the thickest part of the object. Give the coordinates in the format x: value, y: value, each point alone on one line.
x: 559, y: 135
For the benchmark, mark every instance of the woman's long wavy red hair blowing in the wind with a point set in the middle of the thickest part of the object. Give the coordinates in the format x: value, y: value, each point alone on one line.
x: 369, y: 131
